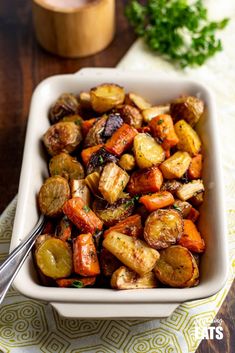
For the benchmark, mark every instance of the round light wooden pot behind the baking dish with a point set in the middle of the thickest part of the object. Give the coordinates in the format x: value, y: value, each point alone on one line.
x: 74, y: 32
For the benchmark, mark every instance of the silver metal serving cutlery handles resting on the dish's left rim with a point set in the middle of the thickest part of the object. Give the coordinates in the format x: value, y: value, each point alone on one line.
x: 10, y: 267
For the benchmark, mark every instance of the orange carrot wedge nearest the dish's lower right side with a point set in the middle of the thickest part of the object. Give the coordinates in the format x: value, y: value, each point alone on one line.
x: 191, y: 238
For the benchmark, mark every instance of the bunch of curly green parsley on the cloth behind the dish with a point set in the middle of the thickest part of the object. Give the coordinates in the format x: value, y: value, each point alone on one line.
x: 176, y: 29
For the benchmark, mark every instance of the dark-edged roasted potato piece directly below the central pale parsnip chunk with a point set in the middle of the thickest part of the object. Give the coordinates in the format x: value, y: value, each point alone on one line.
x: 111, y: 214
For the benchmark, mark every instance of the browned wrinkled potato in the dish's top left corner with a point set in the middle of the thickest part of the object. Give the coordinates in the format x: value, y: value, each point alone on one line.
x: 66, y: 104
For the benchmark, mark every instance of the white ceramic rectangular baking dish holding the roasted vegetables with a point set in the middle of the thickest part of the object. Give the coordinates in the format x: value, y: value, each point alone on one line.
x: 107, y: 303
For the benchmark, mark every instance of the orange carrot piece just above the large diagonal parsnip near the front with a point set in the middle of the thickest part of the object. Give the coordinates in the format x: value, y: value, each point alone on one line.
x: 130, y: 226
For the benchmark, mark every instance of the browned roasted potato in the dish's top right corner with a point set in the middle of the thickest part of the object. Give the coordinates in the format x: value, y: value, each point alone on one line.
x: 188, y: 108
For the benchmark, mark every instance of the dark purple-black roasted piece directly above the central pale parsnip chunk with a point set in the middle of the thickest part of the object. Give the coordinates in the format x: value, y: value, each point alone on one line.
x: 99, y: 158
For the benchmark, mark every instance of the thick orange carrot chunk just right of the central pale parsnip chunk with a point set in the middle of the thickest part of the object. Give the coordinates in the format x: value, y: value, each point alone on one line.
x: 145, y: 180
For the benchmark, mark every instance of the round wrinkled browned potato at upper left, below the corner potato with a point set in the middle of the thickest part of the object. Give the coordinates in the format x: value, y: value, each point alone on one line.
x: 62, y: 137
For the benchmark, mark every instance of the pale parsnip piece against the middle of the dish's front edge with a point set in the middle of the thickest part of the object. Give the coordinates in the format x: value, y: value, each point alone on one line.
x: 124, y: 278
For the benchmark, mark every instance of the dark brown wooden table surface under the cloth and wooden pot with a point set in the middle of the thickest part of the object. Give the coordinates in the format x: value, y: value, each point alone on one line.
x: 23, y: 64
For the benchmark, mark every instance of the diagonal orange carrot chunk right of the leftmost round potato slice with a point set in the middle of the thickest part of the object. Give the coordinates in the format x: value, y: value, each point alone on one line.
x: 81, y: 215
